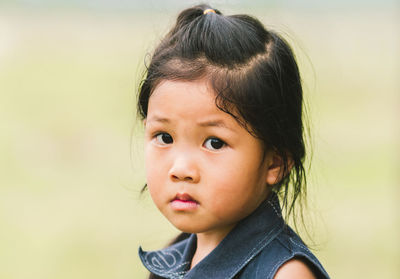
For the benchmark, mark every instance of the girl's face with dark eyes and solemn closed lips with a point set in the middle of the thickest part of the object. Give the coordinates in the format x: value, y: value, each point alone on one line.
x: 205, y: 172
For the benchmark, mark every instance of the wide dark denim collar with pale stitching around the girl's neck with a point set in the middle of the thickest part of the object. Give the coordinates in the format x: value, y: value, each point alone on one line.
x: 242, y: 244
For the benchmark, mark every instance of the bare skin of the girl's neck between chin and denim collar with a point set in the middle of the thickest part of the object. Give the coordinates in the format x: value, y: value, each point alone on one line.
x: 208, y: 241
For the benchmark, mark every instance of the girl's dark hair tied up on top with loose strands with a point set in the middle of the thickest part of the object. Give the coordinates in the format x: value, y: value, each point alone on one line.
x: 255, y: 78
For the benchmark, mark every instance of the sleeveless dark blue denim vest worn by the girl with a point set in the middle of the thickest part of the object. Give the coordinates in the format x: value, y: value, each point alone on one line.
x: 255, y: 248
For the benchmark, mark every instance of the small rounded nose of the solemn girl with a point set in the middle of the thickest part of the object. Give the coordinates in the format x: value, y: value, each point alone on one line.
x: 184, y: 168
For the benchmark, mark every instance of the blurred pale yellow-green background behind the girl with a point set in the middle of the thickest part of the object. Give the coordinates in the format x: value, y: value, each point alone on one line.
x: 71, y: 162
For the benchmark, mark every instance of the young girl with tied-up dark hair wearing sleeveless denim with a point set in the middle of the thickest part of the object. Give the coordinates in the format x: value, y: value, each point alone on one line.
x: 222, y: 107
